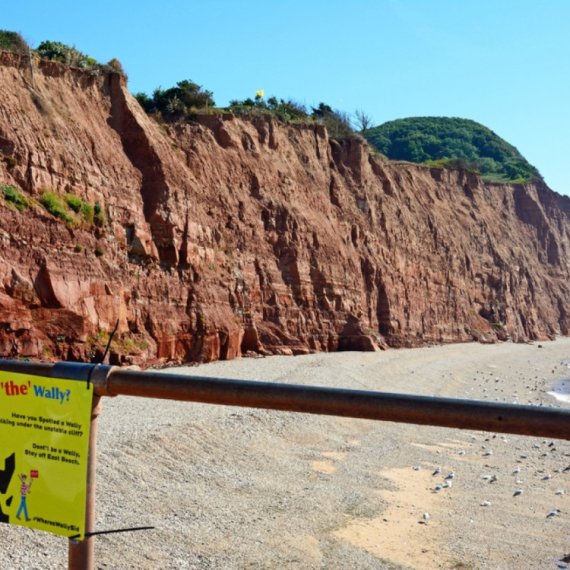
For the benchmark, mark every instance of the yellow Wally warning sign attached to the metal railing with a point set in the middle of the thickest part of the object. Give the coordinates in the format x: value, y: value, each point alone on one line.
x: 44, y: 440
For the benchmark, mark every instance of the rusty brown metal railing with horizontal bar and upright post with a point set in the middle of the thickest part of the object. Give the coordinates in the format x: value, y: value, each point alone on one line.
x: 421, y: 410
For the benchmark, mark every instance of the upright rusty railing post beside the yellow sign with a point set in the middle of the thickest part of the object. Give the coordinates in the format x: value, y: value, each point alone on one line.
x: 81, y: 553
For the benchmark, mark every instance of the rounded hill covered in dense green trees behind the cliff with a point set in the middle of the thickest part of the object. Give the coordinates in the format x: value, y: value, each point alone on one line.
x: 452, y: 143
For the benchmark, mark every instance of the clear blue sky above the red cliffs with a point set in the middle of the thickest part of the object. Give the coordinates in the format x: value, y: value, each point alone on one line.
x: 503, y: 63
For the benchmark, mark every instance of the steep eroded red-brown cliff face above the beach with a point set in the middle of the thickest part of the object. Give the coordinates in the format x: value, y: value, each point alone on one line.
x: 230, y: 235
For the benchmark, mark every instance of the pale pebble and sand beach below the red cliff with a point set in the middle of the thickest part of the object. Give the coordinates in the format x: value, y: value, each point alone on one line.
x: 240, y: 488
